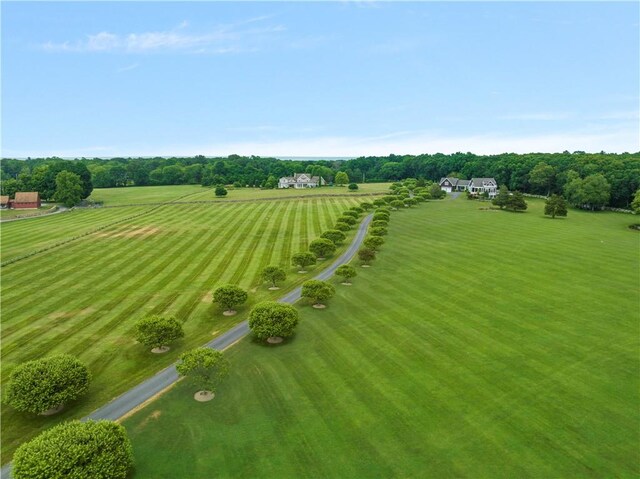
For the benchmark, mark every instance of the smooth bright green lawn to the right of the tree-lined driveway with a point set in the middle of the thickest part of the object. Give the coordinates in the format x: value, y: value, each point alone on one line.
x: 480, y: 344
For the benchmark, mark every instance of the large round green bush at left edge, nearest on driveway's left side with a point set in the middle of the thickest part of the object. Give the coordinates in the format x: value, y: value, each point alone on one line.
x: 43, y: 384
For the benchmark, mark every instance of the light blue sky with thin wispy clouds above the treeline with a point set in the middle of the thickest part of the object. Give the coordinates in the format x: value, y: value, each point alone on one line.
x: 318, y: 79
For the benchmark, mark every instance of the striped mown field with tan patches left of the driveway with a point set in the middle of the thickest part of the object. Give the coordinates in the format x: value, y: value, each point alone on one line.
x: 84, y: 297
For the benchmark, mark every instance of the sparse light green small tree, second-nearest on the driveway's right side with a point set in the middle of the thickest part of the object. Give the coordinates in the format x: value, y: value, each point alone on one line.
x: 205, y: 368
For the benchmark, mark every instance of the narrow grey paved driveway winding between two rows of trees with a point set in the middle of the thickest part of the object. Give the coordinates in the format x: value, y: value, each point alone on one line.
x: 144, y: 391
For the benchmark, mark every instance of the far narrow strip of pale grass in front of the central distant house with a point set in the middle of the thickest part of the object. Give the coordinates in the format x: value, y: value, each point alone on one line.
x: 155, y: 194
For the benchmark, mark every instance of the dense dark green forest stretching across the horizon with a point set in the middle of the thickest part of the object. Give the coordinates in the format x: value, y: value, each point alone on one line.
x: 538, y: 173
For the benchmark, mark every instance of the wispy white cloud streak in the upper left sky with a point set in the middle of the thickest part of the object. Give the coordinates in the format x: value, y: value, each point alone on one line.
x: 223, y: 39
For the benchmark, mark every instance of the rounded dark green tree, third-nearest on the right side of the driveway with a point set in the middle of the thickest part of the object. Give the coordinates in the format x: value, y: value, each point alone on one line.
x: 270, y: 319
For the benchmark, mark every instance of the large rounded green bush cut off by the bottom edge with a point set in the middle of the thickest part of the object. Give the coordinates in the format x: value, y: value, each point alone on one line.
x: 74, y: 449
